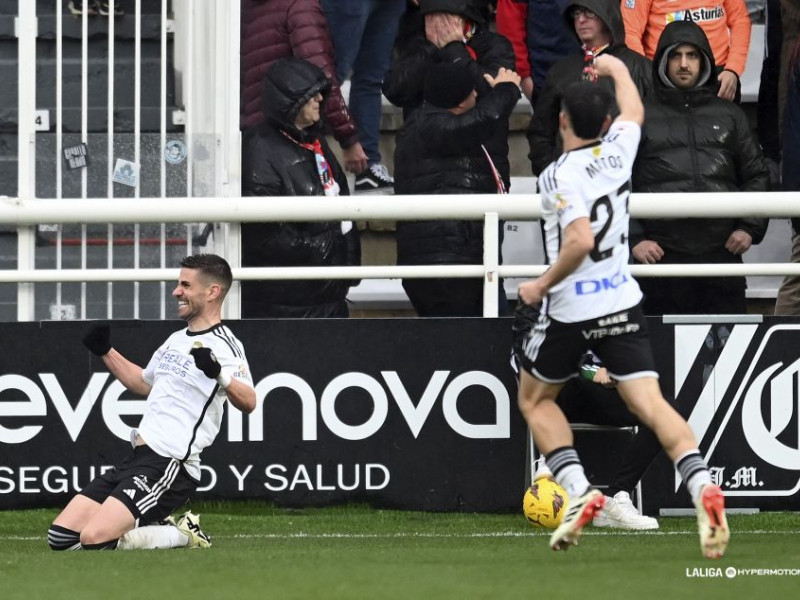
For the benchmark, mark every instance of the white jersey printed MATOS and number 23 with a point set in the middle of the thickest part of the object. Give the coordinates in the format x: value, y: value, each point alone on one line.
x: 592, y: 182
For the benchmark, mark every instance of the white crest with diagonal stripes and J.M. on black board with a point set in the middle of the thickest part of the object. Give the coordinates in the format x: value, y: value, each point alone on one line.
x: 765, y: 396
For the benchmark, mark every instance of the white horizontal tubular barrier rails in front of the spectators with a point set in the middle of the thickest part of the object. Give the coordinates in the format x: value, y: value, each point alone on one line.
x: 489, y: 208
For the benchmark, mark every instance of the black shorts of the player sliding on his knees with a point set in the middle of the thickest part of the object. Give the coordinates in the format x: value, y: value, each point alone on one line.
x: 150, y: 485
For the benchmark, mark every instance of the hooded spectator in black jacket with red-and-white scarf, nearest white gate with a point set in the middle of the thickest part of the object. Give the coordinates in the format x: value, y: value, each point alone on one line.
x: 288, y: 156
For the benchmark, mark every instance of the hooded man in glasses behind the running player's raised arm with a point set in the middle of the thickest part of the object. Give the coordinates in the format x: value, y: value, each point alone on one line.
x: 597, y: 24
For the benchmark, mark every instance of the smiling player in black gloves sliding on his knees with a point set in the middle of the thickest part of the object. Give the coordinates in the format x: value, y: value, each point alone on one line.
x: 186, y: 383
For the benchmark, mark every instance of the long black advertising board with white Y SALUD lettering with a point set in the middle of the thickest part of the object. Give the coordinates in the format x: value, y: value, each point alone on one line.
x: 400, y: 413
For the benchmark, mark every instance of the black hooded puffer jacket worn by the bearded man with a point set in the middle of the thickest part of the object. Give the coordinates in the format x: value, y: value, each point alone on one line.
x: 693, y: 141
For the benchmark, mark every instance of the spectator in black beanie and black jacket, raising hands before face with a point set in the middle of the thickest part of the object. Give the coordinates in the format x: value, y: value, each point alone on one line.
x: 440, y: 150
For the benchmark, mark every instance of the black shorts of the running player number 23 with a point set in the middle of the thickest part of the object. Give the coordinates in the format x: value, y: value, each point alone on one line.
x: 551, y: 351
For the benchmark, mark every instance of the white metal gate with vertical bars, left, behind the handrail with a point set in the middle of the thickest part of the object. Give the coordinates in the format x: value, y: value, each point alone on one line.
x: 124, y: 89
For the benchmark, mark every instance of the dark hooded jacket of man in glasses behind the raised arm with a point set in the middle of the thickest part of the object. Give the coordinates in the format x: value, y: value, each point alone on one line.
x: 543, y: 138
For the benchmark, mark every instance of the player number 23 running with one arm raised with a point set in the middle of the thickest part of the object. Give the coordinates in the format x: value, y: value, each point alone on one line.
x: 588, y: 300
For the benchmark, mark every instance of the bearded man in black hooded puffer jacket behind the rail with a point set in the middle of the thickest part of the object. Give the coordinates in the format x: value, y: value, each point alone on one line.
x: 693, y: 141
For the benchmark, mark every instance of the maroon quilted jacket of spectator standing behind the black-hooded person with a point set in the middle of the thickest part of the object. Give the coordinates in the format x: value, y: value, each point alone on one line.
x: 273, y: 29
